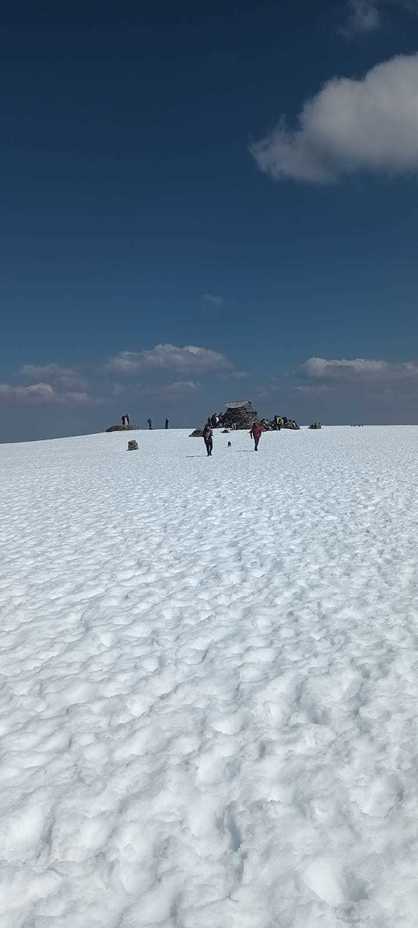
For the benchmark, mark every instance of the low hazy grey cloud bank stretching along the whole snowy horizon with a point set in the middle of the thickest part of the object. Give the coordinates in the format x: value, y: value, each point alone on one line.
x: 330, y: 388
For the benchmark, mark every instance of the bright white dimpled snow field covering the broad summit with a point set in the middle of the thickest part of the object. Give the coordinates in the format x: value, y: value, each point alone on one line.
x: 209, y: 681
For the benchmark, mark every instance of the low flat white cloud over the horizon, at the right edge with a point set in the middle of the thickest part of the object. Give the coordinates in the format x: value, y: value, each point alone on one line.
x: 344, y: 370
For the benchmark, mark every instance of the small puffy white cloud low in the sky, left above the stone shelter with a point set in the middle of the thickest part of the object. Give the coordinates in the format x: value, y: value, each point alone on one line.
x: 188, y: 358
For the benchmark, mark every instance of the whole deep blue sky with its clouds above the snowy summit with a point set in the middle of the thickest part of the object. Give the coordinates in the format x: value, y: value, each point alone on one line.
x: 193, y: 207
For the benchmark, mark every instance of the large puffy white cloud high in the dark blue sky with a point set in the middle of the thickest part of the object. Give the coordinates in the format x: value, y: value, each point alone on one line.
x: 351, y: 125
